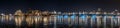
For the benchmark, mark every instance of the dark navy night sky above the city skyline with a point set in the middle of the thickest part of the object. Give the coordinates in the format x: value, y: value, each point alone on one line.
x: 10, y: 6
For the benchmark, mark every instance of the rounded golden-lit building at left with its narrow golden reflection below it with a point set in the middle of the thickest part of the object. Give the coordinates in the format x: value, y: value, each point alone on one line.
x: 19, y: 16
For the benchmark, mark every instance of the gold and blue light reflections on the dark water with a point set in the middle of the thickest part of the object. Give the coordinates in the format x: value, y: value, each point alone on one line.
x: 30, y: 20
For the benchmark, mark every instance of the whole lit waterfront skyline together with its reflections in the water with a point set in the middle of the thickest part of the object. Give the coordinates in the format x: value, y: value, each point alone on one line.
x: 36, y: 17
